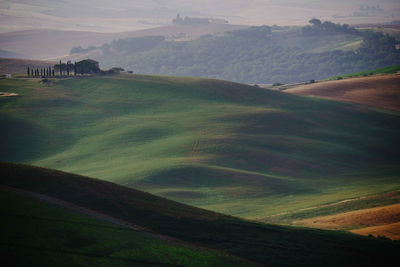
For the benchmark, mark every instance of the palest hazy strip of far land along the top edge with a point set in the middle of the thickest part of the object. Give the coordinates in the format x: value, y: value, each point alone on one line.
x: 124, y: 15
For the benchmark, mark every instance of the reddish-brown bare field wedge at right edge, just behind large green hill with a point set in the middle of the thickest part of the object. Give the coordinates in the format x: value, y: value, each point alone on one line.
x: 381, y: 91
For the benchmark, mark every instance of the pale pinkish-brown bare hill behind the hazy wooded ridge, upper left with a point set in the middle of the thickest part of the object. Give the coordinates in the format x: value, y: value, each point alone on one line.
x: 45, y: 44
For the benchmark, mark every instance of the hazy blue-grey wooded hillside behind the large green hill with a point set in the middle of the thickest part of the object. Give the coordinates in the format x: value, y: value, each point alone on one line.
x: 259, y: 54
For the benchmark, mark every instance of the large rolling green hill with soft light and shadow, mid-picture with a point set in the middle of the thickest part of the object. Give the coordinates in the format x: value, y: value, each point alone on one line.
x: 228, y: 147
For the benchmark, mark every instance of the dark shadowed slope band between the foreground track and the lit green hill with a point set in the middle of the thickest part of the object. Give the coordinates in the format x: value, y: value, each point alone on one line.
x: 262, y: 243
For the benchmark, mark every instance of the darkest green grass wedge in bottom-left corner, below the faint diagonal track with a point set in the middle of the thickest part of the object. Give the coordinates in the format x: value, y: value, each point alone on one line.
x: 36, y: 233
